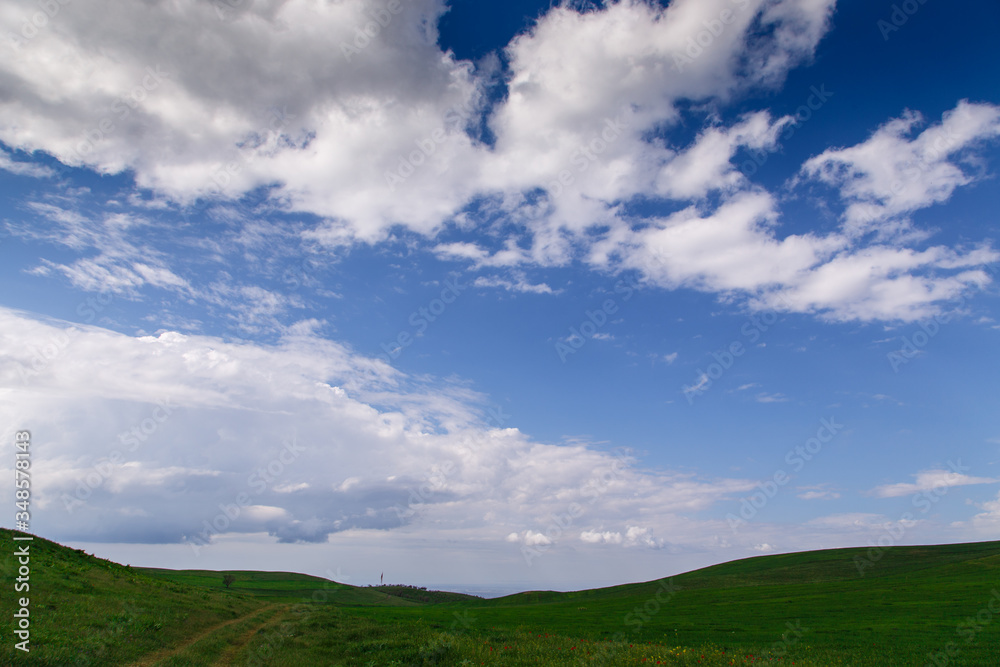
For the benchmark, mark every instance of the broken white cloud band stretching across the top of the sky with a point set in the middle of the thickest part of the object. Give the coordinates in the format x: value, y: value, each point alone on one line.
x: 371, y: 134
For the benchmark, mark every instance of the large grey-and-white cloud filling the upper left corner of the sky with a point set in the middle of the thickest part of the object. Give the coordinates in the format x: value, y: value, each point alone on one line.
x: 197, y: 104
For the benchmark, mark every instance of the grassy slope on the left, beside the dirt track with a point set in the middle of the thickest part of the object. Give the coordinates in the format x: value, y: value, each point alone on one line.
x: 91, y: 611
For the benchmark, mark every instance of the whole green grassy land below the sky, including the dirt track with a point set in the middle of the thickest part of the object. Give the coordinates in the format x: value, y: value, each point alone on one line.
x: 928, y: 605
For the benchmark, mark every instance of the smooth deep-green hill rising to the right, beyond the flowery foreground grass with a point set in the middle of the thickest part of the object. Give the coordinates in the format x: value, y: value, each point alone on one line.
x: 908, y: 604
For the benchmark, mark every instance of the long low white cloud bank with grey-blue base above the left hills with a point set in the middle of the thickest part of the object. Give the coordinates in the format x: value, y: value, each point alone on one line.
x: 198, y: 438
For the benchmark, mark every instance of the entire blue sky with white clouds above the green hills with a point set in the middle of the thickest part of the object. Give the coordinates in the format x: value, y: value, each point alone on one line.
x: 504, y: 296
